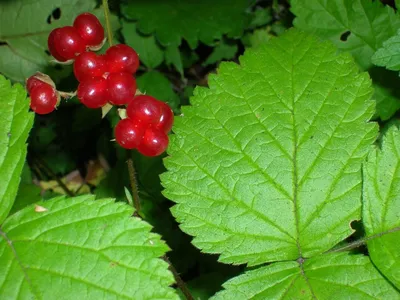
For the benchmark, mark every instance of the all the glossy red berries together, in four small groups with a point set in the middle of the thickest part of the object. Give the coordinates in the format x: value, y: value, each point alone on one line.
x: 103, y: 79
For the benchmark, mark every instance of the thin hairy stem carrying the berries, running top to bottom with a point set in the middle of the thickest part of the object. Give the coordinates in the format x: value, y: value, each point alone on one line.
x: 133, y: 181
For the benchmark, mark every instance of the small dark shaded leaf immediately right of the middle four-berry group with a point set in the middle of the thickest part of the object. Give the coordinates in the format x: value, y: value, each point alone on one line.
x: 155, y: 84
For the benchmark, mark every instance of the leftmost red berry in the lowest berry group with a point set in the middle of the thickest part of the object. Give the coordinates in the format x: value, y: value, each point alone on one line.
x: 129, y: 133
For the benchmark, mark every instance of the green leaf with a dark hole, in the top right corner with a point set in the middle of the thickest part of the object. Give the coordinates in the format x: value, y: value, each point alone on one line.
x: 357, y: 26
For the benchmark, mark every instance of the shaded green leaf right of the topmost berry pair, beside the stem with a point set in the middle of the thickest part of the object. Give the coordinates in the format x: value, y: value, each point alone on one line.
x: 150, y: 52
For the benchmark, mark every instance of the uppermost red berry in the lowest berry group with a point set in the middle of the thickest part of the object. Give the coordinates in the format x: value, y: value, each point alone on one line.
x: 144, y: 108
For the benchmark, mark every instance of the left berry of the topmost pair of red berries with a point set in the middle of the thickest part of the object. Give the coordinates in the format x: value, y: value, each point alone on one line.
x: 66, y: 43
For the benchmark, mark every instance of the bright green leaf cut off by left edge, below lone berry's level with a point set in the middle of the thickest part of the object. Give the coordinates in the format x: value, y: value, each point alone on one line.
x: 15, y: 123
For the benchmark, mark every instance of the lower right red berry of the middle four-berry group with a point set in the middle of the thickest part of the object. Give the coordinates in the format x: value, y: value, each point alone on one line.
x: 121, y: 88
